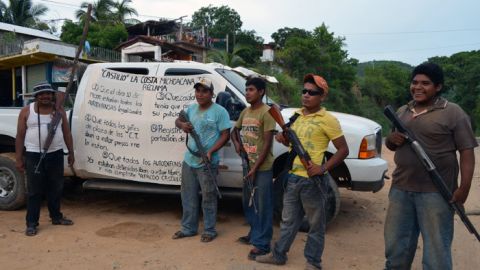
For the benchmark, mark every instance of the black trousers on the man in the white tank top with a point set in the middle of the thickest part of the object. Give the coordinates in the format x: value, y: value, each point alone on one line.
x: 48, y: 182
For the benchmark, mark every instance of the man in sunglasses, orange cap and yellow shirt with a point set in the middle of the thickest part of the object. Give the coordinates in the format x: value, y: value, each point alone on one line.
x: 315, y: 127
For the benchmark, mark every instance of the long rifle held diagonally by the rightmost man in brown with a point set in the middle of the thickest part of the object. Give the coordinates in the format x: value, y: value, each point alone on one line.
x: 437, y: 179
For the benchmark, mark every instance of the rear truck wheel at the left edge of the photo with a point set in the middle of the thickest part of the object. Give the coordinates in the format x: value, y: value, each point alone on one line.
x: 12, y: 184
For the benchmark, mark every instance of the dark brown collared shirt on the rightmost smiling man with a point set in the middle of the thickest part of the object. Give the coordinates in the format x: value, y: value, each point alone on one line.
x: 441, y: 130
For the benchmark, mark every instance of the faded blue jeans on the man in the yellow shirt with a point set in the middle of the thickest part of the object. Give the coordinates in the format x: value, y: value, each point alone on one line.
x: 303, y: 196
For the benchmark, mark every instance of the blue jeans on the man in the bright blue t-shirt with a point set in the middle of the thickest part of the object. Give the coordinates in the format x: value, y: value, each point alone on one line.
x: 193, y: 180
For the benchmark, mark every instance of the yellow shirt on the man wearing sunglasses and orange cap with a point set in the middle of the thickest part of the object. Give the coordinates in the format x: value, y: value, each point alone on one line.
x: 314, y: 131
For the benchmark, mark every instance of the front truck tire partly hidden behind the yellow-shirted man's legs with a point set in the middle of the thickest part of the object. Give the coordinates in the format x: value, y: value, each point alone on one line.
x: 332, y: 204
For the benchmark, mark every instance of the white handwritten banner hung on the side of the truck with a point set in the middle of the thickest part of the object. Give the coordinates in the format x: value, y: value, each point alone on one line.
x: 128, y: 129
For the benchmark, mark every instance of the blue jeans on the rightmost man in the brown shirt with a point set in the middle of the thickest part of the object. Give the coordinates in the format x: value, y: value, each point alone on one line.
x: 411, y: 213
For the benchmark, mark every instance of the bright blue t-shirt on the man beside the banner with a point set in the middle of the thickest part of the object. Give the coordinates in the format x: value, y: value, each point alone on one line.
x: 208, y: 124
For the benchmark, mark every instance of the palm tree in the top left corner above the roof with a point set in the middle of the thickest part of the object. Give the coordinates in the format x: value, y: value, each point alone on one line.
x: 23, y: 13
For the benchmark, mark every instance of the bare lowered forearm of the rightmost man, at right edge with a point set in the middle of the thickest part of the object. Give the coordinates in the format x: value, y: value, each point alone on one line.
x: 467, y: 167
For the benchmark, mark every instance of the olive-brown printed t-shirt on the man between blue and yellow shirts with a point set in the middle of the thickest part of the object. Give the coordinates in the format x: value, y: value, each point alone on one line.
x: 253, y: 124
